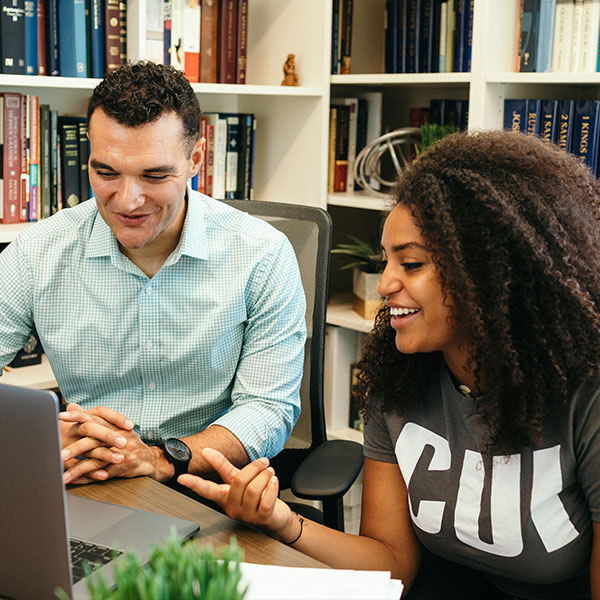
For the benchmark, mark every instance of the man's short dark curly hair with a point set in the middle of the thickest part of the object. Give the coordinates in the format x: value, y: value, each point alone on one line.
x: 139, y: 93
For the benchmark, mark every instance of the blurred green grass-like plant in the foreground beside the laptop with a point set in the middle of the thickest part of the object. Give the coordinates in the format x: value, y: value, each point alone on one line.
x: 175, y: 570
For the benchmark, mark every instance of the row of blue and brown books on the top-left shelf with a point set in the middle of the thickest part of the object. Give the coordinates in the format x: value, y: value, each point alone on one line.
x: 69, y: 38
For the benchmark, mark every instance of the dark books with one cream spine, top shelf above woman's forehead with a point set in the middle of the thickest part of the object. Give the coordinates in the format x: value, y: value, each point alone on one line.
x: 428, y: 36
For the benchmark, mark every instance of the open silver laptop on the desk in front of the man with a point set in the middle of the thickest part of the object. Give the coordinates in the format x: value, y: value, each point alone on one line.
x: 40, y: 523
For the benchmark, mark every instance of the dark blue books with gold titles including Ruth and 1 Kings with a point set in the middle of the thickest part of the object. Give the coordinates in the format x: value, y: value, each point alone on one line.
x: 574, y: 125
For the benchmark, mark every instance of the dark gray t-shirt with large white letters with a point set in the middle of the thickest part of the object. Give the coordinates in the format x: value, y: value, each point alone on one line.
x: 526, y: 521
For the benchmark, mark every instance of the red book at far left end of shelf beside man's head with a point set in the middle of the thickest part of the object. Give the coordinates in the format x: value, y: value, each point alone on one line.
x: 11, y: 192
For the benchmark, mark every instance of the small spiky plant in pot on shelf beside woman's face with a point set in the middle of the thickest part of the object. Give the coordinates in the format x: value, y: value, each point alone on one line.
x: 366, y: 261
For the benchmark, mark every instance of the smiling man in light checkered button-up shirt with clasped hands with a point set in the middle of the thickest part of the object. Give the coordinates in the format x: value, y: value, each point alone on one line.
x: 164, y: 314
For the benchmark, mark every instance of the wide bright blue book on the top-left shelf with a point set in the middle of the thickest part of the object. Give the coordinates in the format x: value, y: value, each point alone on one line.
x: 72, y: 38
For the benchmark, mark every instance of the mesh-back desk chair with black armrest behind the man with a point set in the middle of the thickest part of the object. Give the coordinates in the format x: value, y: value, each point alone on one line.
x: 310, y: 465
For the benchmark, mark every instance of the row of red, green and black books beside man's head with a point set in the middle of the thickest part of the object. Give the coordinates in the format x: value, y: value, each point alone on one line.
x: 45, y: 159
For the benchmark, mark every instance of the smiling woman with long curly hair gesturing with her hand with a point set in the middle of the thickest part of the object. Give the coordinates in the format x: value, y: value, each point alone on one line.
x: 480, y: 384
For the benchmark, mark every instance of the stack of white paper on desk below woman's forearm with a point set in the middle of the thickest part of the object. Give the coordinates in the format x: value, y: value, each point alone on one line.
x: 267, y: 582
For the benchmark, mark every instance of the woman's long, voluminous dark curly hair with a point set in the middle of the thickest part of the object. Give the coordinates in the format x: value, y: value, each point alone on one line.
x: 513, y: 224
